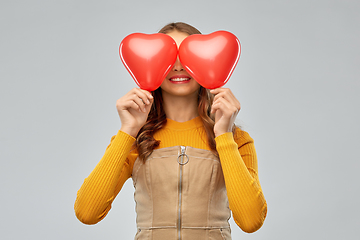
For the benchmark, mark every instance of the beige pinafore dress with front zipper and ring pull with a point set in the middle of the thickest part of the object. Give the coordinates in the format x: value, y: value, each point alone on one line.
x: 180, y: 194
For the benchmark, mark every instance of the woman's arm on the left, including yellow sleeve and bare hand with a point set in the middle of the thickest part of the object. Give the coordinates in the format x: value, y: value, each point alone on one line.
x: 99, y: 190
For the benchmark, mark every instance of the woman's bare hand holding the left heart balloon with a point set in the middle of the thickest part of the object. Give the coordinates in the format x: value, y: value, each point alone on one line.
x: 133, y: 109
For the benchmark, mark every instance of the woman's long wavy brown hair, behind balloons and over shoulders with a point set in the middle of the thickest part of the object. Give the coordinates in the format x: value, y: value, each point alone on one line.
x: 145, y: 142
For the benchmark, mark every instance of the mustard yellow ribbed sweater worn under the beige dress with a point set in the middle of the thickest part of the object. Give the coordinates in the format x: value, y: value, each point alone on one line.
x: 237, y: 156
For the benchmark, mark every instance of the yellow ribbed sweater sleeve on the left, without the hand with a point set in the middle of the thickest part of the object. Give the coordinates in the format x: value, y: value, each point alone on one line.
x: 100, y: 188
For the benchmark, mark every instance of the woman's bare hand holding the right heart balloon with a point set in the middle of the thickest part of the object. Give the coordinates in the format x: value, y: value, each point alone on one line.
x: 226, y: 107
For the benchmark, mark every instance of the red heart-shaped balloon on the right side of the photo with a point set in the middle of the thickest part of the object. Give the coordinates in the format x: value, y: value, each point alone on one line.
x: 210, y: 59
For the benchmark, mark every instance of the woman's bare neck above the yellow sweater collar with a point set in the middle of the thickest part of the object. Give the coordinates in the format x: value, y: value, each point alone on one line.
x: 180, y: 108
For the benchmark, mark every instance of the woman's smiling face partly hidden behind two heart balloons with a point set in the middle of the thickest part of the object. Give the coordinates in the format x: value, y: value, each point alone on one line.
x: 178, y: 82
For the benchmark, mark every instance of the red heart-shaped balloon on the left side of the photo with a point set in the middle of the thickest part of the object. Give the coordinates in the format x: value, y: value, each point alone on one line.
x: 148, y: 58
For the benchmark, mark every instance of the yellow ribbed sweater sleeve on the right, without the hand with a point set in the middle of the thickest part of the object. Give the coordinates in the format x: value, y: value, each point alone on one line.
x: 239, y: 163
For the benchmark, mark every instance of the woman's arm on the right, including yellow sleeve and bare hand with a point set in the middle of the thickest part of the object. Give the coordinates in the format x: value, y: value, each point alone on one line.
x: 239, y: 163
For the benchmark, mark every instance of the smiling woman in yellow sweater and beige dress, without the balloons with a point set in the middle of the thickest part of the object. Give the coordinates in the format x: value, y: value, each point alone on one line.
x: 189, y: 163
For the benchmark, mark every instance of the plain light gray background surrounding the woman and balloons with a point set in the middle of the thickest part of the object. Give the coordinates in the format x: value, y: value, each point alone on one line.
x: 297, y: 81
